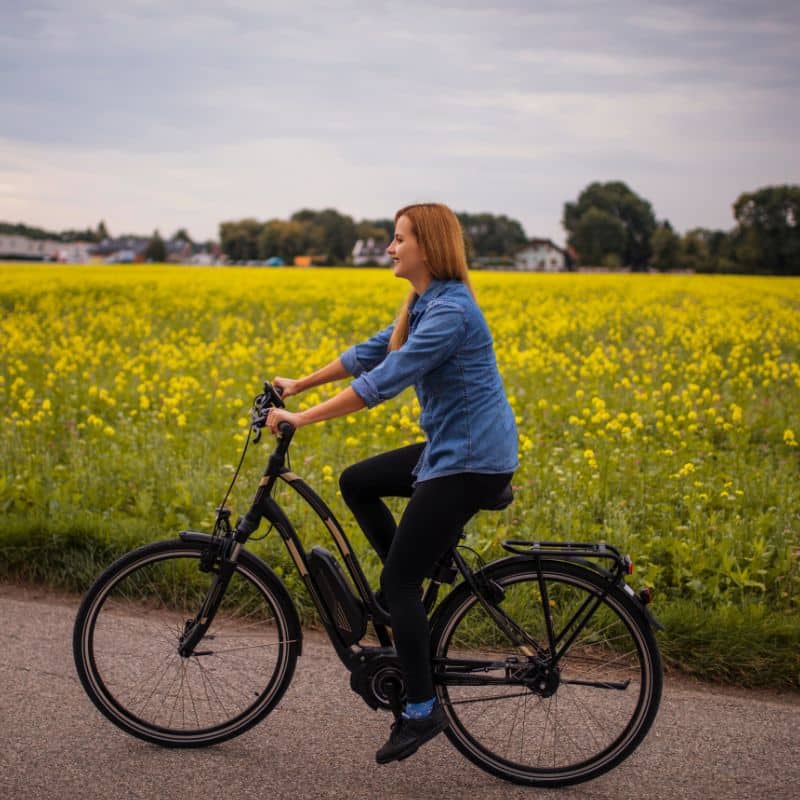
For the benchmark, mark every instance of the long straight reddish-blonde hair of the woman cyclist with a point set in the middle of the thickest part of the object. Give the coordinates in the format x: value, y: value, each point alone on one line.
x: 438, y: 232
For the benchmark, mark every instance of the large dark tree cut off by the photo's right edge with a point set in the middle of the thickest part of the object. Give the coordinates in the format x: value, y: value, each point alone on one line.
x: 768, y: 234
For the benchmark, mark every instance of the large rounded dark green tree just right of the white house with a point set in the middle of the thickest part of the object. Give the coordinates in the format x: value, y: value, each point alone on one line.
x: 615, y: 200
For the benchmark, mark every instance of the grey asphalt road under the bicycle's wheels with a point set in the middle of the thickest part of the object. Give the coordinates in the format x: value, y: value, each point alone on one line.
x: 707, y: 742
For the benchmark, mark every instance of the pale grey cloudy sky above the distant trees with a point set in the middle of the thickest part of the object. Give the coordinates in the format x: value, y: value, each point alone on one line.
x: 184, y: 113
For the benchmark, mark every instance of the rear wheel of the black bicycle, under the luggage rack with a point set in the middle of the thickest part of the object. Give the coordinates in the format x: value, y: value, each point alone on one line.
x: 519, y: 714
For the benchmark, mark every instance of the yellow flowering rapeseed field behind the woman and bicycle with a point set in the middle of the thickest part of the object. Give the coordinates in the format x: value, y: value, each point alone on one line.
x: 659, y: 413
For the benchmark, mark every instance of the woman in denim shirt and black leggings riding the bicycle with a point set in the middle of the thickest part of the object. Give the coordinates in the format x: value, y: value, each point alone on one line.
x: 441, y: 345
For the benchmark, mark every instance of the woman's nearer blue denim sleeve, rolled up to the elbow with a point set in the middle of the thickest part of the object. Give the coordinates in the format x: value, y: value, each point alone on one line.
x: 437, y: 336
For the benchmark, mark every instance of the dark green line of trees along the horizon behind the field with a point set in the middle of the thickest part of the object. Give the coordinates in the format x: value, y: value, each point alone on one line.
x: 609, y: 225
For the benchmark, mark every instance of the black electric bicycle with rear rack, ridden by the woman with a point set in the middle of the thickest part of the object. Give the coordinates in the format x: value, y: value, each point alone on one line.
x: 545, y: 661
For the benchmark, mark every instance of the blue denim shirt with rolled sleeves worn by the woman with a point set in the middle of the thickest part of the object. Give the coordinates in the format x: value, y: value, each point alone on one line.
x: 449, y: 358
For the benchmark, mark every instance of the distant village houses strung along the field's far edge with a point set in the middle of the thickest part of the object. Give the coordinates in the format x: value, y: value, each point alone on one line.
x: 537, y: 255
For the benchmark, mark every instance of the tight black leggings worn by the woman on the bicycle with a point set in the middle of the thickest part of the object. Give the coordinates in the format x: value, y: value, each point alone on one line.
x: 430, y: 526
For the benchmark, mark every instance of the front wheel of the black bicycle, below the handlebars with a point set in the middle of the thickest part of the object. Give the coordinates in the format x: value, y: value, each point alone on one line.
x: 126, y: 638
